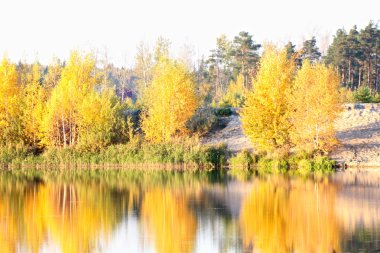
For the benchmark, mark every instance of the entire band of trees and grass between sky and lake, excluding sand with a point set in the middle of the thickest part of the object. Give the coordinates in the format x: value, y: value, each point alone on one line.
x: 87, y: 111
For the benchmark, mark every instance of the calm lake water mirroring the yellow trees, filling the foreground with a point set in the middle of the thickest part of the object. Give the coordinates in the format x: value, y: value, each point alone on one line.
x: 118, y: 211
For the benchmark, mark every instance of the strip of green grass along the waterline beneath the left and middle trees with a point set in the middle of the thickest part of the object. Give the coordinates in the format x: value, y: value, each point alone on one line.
x: 182, y: 155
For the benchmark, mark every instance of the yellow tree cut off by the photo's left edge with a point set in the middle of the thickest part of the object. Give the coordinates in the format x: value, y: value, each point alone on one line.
x: 10, y: 103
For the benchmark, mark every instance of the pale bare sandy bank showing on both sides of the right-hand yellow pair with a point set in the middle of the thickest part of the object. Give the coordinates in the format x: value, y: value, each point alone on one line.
x: 358, y: 131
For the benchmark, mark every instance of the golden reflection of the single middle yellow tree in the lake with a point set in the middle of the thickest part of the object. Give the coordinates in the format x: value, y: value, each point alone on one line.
x: 169, y: 220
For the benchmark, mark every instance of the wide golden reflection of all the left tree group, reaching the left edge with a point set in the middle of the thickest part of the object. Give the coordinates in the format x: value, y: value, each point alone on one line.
x: 73, y: 216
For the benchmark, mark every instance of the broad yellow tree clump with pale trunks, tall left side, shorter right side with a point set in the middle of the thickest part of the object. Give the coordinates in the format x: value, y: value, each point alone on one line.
x: 80, y: 111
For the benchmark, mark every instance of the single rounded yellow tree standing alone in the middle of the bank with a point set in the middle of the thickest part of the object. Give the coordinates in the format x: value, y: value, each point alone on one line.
x: 170, y: 101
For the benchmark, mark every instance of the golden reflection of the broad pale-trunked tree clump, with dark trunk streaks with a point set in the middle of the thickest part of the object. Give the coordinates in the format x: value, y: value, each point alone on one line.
x: 77, y: 215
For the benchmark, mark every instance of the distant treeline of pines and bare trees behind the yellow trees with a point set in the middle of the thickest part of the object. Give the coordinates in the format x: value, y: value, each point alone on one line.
x: 354, y: 53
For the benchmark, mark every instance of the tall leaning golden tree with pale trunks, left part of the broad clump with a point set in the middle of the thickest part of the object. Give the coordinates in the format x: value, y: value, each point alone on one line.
x: 78, y: 79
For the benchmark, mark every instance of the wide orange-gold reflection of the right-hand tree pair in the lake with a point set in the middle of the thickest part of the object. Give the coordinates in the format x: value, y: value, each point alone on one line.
x: 294, y: 216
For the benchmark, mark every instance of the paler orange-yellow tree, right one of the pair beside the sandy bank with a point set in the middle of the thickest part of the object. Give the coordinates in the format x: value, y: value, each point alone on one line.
x: 314, y: 106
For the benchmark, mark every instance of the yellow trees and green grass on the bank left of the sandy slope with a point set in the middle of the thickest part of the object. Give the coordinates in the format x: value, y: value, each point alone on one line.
x: 80, y: 120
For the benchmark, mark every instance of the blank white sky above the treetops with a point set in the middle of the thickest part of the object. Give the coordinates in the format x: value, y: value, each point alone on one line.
x: 42, y: 29
